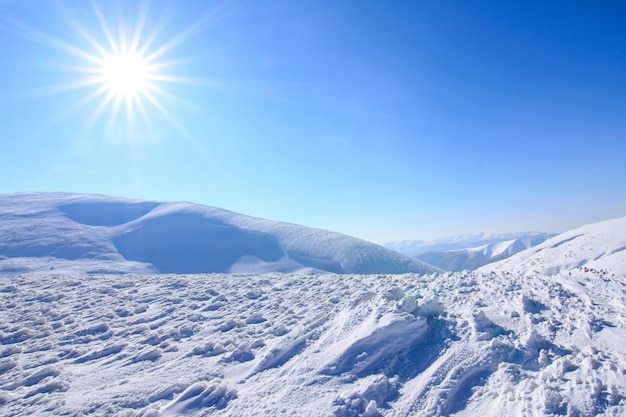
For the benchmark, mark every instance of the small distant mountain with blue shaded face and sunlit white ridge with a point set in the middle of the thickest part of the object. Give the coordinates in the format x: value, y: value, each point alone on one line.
x: 472, y: 258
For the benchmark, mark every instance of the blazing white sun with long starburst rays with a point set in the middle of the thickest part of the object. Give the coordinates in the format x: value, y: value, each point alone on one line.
x: 125, y: 57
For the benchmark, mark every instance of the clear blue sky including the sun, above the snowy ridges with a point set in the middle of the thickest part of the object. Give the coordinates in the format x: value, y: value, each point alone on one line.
x: 384, y: 120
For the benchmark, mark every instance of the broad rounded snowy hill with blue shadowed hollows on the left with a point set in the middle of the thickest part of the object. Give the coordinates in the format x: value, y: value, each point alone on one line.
x: 92, y: 233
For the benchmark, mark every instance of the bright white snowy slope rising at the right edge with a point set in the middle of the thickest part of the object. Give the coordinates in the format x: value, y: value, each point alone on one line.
x: 598, y: 247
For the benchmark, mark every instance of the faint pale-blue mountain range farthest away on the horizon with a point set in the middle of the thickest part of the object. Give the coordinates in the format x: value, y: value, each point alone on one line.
x: 459, y: 242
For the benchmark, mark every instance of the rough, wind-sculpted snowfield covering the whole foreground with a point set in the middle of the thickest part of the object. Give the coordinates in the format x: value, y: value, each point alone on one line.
x: 463, y: 344
